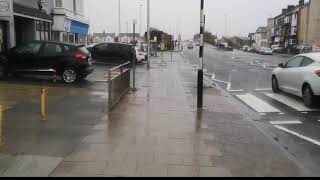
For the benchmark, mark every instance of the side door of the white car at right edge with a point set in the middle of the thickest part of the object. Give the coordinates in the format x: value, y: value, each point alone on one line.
x: 288, y: 75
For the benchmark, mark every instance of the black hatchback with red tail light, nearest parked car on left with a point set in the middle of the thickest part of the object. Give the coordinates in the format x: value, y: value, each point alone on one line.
x: 71, y: 62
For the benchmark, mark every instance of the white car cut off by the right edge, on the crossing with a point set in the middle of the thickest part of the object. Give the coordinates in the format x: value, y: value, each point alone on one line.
x: 300, y: 76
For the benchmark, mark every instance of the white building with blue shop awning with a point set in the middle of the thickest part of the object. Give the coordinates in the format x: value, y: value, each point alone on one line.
x: 69, y: 23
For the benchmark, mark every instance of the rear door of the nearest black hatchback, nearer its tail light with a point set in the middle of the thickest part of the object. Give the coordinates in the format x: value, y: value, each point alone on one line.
x: 50, y: 56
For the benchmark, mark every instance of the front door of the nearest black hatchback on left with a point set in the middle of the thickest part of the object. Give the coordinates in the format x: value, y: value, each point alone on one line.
x: 25, y: 56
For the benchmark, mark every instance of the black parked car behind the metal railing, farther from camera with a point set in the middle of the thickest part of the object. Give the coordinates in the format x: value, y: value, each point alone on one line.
x: 112, y: 53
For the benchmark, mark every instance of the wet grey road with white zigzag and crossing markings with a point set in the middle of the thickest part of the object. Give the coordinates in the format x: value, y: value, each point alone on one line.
x: 282, y: 117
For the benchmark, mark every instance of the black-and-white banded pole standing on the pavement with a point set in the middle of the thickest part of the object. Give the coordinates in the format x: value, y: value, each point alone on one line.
x: 200, y: 70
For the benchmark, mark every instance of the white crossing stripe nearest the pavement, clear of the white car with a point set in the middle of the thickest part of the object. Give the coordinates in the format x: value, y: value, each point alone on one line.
x: 257, y: 104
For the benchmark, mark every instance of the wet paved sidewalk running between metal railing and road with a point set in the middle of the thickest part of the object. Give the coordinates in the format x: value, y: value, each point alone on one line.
x: 158, y: 132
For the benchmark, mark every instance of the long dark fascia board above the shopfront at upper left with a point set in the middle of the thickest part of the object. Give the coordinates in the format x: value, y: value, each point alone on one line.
x: 31, y: 12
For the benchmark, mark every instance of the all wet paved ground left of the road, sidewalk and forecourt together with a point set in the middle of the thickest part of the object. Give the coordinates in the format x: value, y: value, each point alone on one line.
x: 153, y: 132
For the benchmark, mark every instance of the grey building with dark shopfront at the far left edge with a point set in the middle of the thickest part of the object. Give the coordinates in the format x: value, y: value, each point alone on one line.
x: 22, y: 21
